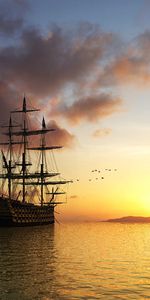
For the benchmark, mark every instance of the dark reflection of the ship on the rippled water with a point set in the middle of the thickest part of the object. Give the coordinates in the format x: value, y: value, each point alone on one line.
x: 27, y: 263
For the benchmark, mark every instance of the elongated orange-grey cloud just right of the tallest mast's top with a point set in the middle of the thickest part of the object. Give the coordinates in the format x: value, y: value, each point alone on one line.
x: 91, y: 108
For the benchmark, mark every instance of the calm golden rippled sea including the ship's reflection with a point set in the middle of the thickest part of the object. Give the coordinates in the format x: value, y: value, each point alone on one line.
x: 75, y: 261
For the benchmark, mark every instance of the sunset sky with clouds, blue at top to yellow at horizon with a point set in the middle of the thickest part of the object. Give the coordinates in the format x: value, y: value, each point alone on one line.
x: 86, y: 65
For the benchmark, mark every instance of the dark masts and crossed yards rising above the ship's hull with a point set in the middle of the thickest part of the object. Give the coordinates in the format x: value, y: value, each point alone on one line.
x: 26, y: 178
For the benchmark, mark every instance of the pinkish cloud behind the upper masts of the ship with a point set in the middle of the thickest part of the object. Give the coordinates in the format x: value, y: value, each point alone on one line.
x: 9, y: 102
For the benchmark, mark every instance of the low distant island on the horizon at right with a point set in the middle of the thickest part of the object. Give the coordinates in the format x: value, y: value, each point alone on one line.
x: 130, y: 219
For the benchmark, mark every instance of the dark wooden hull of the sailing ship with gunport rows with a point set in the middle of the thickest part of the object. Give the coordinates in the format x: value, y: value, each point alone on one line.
x: 16, y: 213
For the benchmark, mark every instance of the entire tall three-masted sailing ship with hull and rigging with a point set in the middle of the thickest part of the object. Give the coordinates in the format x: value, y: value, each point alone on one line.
x: 29, y: 188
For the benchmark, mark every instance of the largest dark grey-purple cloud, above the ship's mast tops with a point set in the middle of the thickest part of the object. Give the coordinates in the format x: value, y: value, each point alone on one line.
x: 43, y: 65
